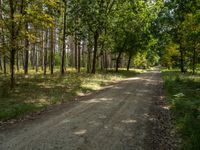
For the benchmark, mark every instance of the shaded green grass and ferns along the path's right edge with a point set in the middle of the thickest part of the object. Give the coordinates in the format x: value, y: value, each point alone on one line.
x: 183, y: 95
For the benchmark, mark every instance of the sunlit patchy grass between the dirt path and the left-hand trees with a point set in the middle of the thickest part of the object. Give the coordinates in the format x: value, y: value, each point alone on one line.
x: 36, y: 92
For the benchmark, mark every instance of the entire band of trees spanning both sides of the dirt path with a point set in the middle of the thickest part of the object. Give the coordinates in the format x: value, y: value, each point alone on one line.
x: 97, y: 34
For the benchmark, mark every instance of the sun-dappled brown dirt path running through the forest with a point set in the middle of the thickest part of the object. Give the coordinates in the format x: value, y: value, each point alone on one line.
x: 113, y: 119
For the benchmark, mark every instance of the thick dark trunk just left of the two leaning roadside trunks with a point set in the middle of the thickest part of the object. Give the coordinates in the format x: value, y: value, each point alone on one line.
x: 96, y: 36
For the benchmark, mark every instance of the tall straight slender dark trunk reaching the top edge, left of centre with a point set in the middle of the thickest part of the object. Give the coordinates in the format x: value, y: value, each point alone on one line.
x: 64, y: 44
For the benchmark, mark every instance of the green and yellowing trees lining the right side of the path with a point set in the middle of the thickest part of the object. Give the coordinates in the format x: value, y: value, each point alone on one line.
x: 178, y: 30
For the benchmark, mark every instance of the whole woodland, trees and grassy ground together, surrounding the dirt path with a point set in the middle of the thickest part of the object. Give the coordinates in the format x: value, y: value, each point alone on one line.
x: 52, y: 50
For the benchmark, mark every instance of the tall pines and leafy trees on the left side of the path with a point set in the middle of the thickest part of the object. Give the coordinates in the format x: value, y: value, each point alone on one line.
x: 93, y: 34
